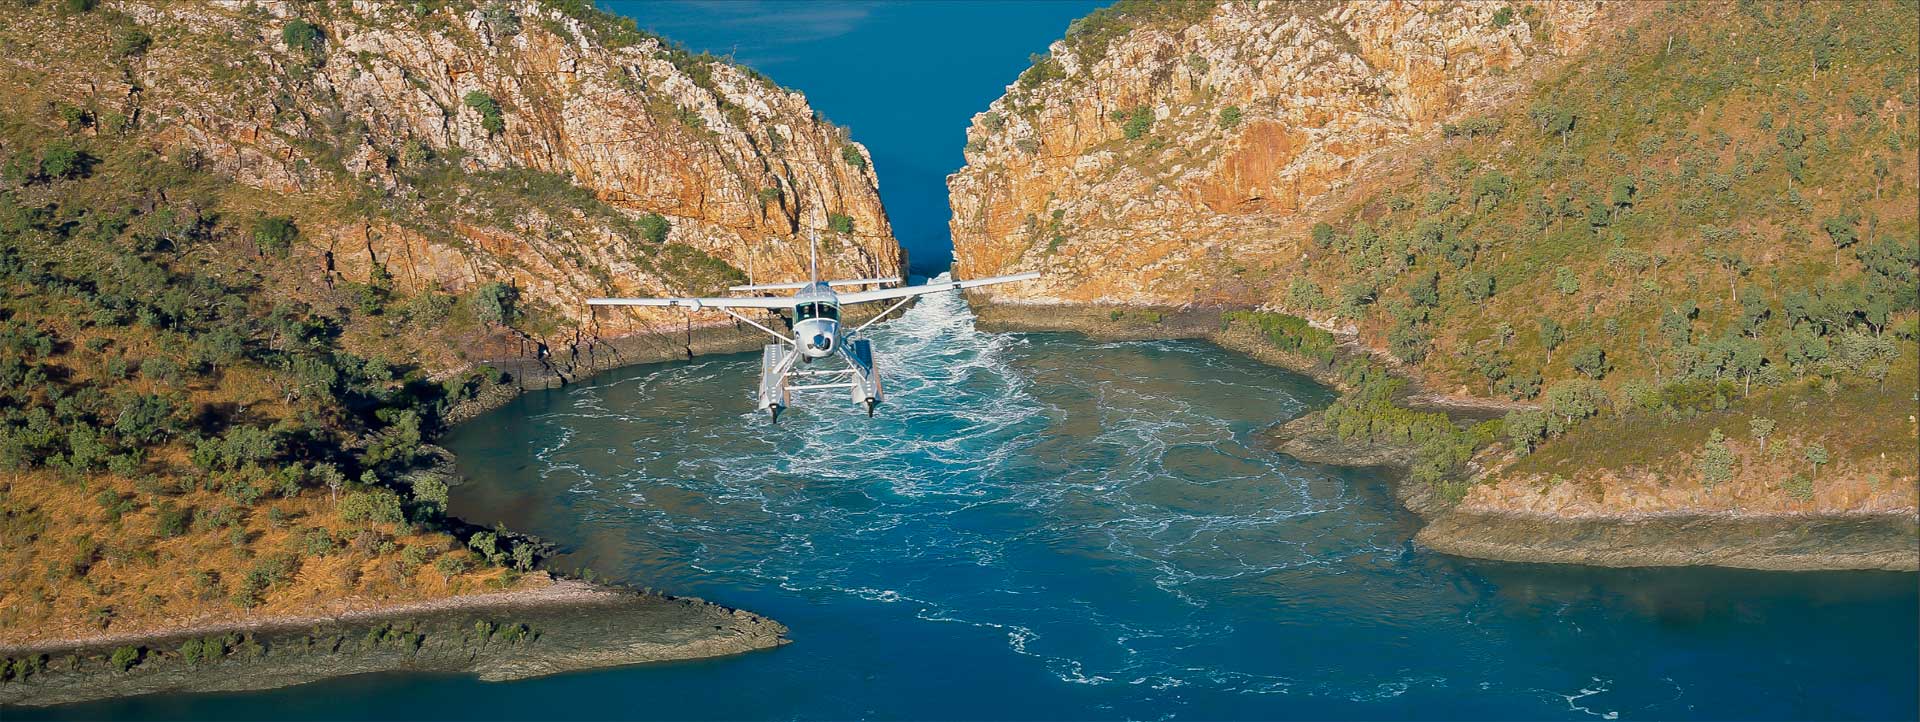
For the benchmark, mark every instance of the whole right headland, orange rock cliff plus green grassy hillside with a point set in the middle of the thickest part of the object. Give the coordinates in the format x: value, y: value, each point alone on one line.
x: 1673, y: 245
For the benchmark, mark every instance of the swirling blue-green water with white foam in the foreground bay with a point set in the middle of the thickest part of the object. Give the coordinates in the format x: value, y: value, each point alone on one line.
x: 1042, y: 527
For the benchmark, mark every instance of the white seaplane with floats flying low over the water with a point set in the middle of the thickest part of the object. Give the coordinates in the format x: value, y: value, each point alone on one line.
x: 815, y: 320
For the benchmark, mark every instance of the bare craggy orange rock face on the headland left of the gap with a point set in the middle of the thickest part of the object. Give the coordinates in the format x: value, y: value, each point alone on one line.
x: 429, y: 114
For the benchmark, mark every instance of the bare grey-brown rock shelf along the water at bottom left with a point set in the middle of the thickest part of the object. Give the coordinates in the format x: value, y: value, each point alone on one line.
x: 502, y: 637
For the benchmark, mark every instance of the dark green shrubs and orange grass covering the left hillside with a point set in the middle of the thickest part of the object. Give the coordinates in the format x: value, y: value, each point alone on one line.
x: 180, y: 431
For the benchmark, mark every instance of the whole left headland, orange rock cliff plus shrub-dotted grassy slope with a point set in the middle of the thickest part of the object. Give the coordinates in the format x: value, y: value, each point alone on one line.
x: 256, y: 254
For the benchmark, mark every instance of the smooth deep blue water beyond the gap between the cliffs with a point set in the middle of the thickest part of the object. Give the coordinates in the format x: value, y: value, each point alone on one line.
x: 907, y: 78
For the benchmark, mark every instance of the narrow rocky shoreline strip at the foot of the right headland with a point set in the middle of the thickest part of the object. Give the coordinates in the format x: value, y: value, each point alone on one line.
x: 1767, y: 542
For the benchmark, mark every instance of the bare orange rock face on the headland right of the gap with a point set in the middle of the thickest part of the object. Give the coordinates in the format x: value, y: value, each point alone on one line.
x: 1163, y: 166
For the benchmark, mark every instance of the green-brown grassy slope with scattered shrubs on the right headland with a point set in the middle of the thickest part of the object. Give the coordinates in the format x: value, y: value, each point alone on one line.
x: 1708, y: 155
